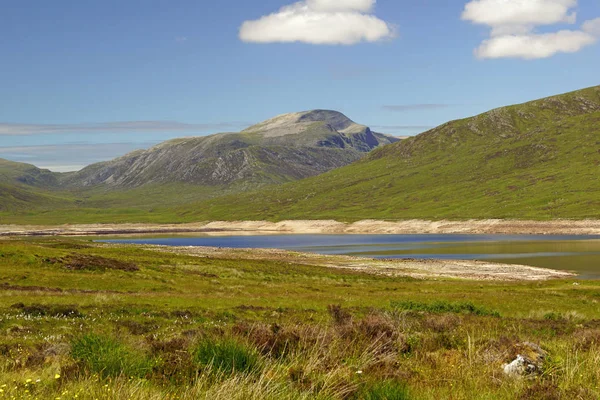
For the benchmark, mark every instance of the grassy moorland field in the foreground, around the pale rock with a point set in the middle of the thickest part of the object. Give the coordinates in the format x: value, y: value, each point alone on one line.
x: 85, y: 321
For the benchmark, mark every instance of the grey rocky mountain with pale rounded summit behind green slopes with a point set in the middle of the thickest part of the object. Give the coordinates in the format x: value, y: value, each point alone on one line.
x: 286, y: 148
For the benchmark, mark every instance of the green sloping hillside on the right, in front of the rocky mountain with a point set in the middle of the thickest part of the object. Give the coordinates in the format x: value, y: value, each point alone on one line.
x: 538, y: 160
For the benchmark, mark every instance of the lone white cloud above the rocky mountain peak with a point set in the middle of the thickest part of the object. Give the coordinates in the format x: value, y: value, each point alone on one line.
x: 319, y: 22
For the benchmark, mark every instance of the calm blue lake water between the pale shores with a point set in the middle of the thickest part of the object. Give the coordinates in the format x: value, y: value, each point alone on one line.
x: 580, y: 254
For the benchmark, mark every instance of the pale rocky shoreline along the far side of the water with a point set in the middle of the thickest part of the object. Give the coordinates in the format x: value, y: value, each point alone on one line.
x: 490, y: 226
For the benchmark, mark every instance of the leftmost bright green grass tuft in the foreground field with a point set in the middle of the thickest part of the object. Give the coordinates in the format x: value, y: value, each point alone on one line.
x: 108, y: 357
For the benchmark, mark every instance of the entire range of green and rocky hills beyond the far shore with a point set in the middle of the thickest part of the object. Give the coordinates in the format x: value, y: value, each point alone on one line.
x: 538, y: 160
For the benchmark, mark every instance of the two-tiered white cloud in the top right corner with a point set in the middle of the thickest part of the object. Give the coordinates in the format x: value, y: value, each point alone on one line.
x: 513, y: 26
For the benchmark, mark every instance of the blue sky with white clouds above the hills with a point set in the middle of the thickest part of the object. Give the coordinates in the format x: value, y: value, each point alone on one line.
x: 83, y: 81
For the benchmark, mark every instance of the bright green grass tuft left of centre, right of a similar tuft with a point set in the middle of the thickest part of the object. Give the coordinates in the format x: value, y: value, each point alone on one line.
x: 226, y: 356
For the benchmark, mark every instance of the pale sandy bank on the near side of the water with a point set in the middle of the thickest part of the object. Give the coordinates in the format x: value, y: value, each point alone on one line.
x: 420, y: 269
